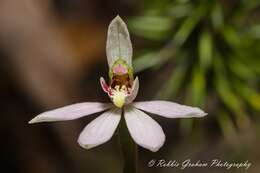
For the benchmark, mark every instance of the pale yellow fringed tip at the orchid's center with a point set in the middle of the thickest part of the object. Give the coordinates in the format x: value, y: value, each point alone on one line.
x: 119, y: 95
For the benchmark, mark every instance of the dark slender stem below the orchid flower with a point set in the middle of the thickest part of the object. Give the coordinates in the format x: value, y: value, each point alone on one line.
x: 129, y: 148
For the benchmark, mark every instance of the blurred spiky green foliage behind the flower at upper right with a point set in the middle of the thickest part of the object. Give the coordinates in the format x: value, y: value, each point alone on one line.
x: 215, y: 48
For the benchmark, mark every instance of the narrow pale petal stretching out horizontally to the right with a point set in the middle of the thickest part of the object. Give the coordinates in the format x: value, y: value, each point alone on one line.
x: 169, y: 109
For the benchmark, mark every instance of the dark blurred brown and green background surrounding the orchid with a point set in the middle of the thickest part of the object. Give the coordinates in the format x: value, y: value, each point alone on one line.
x: 196, y: 52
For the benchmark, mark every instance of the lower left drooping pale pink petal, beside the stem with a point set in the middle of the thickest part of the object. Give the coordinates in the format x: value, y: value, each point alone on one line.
x: 100, y: 130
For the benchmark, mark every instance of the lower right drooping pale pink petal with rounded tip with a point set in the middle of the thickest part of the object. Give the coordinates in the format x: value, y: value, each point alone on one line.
x: 144, y: 130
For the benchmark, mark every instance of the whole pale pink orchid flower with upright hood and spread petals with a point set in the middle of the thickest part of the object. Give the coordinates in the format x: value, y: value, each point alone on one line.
x: 122, y: 89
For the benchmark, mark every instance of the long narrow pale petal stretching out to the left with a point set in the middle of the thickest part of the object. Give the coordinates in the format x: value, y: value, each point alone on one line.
x: 71, y: 112
